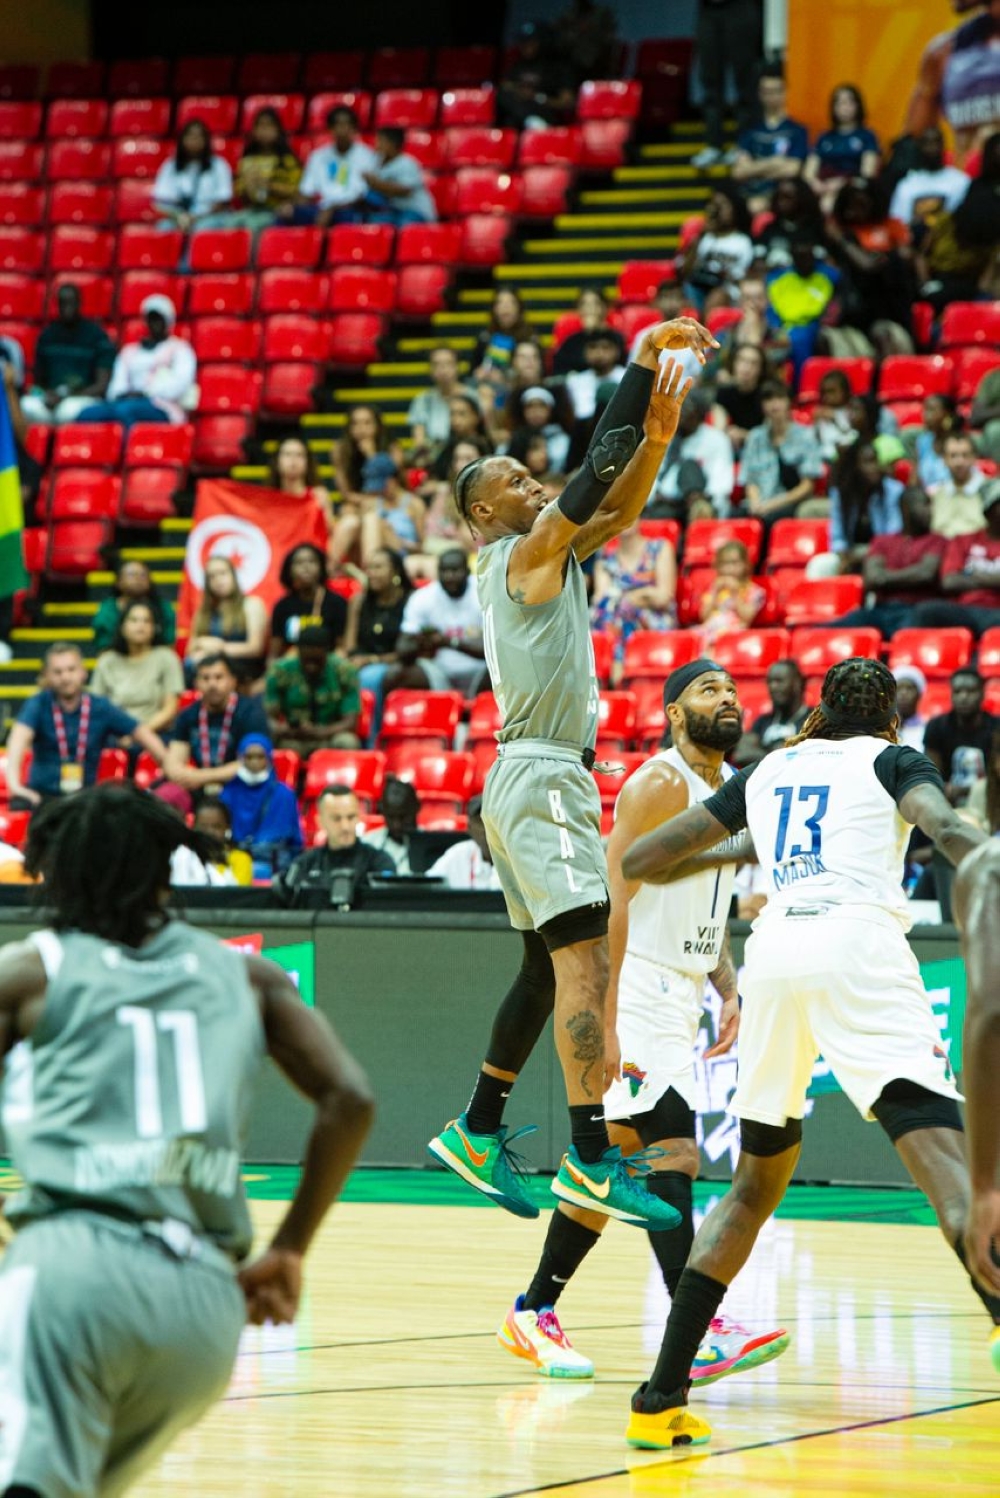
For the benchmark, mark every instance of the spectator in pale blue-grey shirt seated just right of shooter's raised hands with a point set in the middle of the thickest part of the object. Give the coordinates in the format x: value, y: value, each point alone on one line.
x: 781, y: 459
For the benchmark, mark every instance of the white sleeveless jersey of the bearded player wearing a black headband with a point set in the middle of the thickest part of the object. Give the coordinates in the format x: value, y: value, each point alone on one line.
x: 682, y: 925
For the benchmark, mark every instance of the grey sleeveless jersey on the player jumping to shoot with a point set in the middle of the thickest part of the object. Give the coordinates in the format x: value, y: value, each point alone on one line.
x: 541, y: 657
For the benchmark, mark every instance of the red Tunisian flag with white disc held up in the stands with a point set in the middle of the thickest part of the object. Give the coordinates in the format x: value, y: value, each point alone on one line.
x: 255, y: 528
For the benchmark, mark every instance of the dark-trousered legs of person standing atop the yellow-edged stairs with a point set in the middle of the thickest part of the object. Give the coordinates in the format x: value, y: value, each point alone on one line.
x: 727, y: 41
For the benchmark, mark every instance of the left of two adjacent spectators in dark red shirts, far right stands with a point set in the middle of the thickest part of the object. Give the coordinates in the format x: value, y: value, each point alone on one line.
x: 902, y: 568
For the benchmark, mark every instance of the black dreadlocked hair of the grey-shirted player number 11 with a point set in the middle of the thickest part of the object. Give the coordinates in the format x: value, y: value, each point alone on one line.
x: 106, y: 859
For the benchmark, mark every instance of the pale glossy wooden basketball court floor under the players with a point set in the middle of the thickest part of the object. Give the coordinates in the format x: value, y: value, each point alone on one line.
x: 393, y: 1383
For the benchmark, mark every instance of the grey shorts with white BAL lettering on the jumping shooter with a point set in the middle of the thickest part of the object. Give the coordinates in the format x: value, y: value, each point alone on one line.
x: 543, y: 819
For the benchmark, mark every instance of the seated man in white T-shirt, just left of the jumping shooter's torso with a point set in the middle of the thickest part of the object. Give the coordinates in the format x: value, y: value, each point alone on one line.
x: 441, y: 637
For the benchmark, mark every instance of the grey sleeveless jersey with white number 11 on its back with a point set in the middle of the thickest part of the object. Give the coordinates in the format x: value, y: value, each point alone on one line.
x: 134, y: 1090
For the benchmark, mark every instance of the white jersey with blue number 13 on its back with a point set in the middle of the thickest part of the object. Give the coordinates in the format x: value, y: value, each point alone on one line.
x: 826, y: 829
